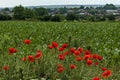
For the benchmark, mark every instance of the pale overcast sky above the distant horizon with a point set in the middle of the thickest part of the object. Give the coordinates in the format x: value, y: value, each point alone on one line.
x: 12, y: 3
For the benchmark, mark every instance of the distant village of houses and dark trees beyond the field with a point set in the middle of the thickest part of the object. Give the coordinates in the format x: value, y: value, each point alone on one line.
x: 90, y: 13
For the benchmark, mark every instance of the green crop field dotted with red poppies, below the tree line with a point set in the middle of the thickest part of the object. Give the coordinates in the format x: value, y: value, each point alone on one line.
x: 101, y: 38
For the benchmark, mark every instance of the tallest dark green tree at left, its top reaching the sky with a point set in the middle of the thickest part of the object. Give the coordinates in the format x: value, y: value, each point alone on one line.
x: 18, y: 12
